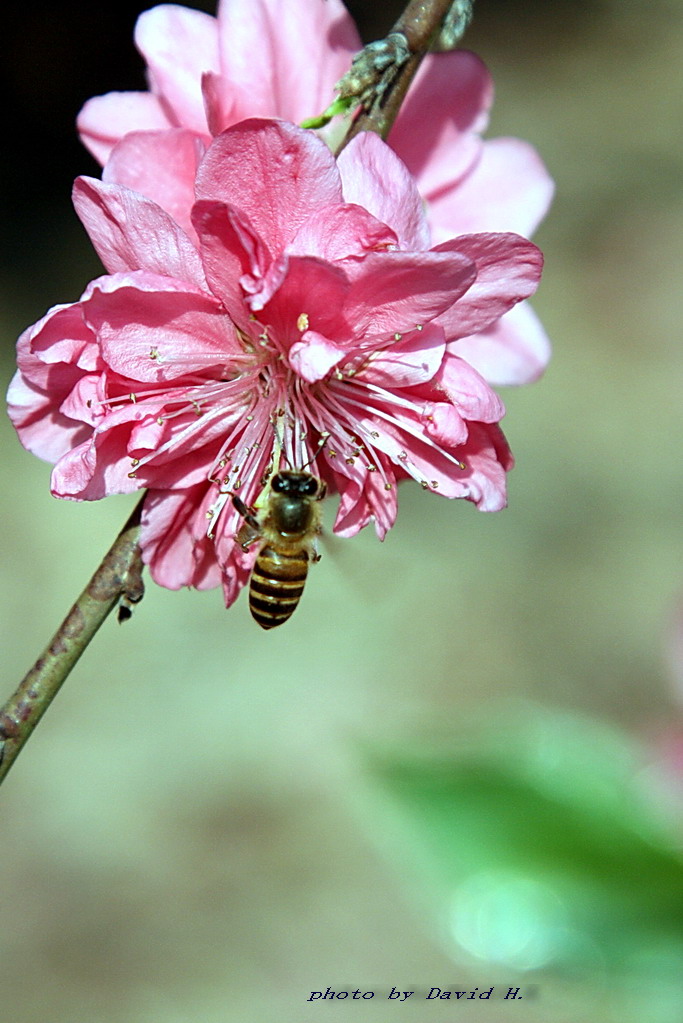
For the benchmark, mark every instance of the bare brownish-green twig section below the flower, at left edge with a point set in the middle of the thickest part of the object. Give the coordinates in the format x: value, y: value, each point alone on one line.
x: 119, y: 579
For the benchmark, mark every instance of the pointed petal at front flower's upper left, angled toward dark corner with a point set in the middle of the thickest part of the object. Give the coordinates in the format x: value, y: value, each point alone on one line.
x: 131, y: 233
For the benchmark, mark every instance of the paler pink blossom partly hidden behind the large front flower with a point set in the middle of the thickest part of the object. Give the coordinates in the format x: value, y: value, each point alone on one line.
x: 265, y: 59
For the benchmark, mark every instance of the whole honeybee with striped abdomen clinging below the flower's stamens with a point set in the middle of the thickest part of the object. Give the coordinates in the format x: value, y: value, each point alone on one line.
x: 287, y: 526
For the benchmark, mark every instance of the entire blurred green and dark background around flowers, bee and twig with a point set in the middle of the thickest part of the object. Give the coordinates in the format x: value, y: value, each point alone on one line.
x: 461, y: 766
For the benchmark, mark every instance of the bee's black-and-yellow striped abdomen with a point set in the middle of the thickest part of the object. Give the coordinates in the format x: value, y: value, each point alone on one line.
x: 277, y: 586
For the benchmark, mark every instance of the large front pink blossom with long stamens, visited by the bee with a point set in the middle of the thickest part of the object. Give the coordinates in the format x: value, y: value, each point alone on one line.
x: 307, y: 315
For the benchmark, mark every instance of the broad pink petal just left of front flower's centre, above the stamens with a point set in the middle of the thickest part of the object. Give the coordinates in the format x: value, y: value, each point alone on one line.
x: 154, y: 330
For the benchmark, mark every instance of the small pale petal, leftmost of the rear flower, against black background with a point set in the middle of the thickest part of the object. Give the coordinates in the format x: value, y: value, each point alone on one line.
x: 105, y: 120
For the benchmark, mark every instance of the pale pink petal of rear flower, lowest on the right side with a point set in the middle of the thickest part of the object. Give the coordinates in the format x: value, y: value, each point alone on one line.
x: 514, y: 351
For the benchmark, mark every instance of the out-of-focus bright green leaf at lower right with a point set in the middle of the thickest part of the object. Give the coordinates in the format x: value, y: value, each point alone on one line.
x: 538, y: 837
